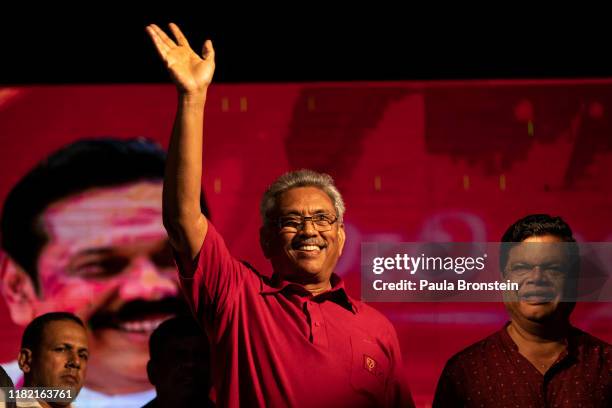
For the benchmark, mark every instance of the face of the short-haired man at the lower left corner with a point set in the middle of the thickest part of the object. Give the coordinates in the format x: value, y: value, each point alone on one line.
x: 61, y: 358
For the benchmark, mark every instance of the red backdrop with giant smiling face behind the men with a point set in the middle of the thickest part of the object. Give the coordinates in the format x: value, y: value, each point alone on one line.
x: 416, y: 162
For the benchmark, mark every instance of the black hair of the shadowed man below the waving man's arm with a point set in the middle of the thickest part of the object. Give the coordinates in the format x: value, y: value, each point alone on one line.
x: 175, y: 327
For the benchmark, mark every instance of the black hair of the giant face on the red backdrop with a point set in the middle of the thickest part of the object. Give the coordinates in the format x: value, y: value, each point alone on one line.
x: 77, y: 167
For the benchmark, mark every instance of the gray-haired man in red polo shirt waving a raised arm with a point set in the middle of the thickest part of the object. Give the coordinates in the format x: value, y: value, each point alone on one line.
x: 297, y: 338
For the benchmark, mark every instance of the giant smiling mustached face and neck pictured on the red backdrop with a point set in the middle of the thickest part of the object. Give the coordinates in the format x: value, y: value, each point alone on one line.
x: 107, y: 260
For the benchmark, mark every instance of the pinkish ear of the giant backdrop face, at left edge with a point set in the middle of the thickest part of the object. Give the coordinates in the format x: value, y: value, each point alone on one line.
x: 18, y: 291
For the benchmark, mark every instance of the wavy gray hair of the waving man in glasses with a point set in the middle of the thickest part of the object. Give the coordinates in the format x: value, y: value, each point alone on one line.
x: 300, y: 178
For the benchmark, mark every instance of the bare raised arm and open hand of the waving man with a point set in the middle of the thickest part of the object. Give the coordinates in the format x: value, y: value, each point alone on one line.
x: 192, y: 74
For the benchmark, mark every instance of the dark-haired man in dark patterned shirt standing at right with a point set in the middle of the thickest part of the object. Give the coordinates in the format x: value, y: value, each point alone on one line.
x: 537, y: 359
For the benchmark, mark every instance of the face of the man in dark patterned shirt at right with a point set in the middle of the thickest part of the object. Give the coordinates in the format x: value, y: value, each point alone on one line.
x: 540, y: 267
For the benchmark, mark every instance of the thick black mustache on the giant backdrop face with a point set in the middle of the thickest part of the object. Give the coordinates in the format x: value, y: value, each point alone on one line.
x: 138, y: 310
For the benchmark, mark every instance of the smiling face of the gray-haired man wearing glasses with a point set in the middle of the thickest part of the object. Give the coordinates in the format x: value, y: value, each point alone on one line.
x: 307, y: 255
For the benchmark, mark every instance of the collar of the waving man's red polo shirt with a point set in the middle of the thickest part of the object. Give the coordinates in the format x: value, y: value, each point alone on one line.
x: 337, y: 294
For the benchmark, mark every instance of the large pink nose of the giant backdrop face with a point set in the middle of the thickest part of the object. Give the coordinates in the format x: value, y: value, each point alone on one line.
x: 145, y: 280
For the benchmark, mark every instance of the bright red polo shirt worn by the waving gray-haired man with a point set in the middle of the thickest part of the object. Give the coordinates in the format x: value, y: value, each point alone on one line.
x: 274, y: 344
